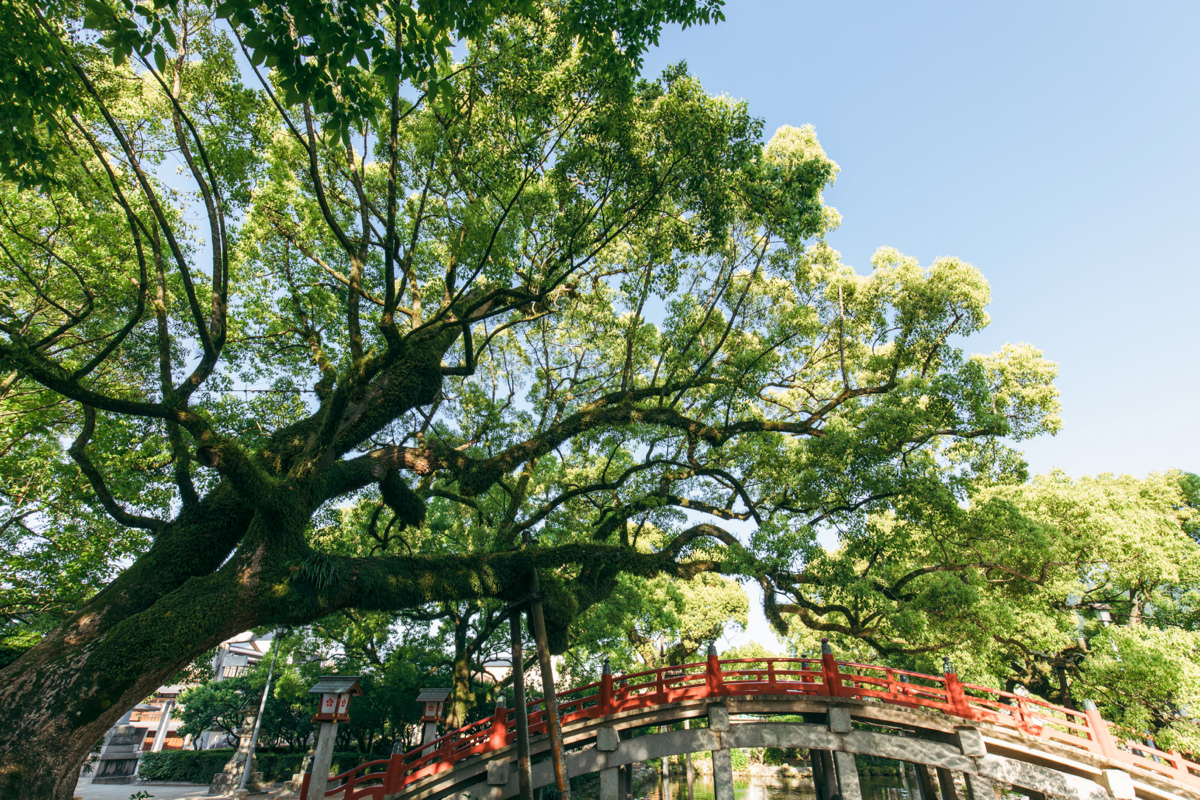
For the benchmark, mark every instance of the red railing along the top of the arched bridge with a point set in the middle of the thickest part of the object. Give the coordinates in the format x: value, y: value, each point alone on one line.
x: 736, y: 677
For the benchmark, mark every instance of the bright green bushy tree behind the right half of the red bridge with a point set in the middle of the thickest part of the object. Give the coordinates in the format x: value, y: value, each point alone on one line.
x: 1071, y: 590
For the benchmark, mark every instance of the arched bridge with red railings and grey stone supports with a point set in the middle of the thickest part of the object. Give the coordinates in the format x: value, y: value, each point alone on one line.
x: 995, y: 741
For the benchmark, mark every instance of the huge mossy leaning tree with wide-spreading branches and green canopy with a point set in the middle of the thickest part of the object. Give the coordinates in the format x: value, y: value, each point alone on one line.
x: 272, y: 275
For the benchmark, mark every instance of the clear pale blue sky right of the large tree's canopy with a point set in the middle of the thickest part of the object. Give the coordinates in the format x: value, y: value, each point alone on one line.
x: 1054, y: 146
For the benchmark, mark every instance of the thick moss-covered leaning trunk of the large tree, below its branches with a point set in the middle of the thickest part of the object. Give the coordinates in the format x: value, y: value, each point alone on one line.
x: 61, y: 699
